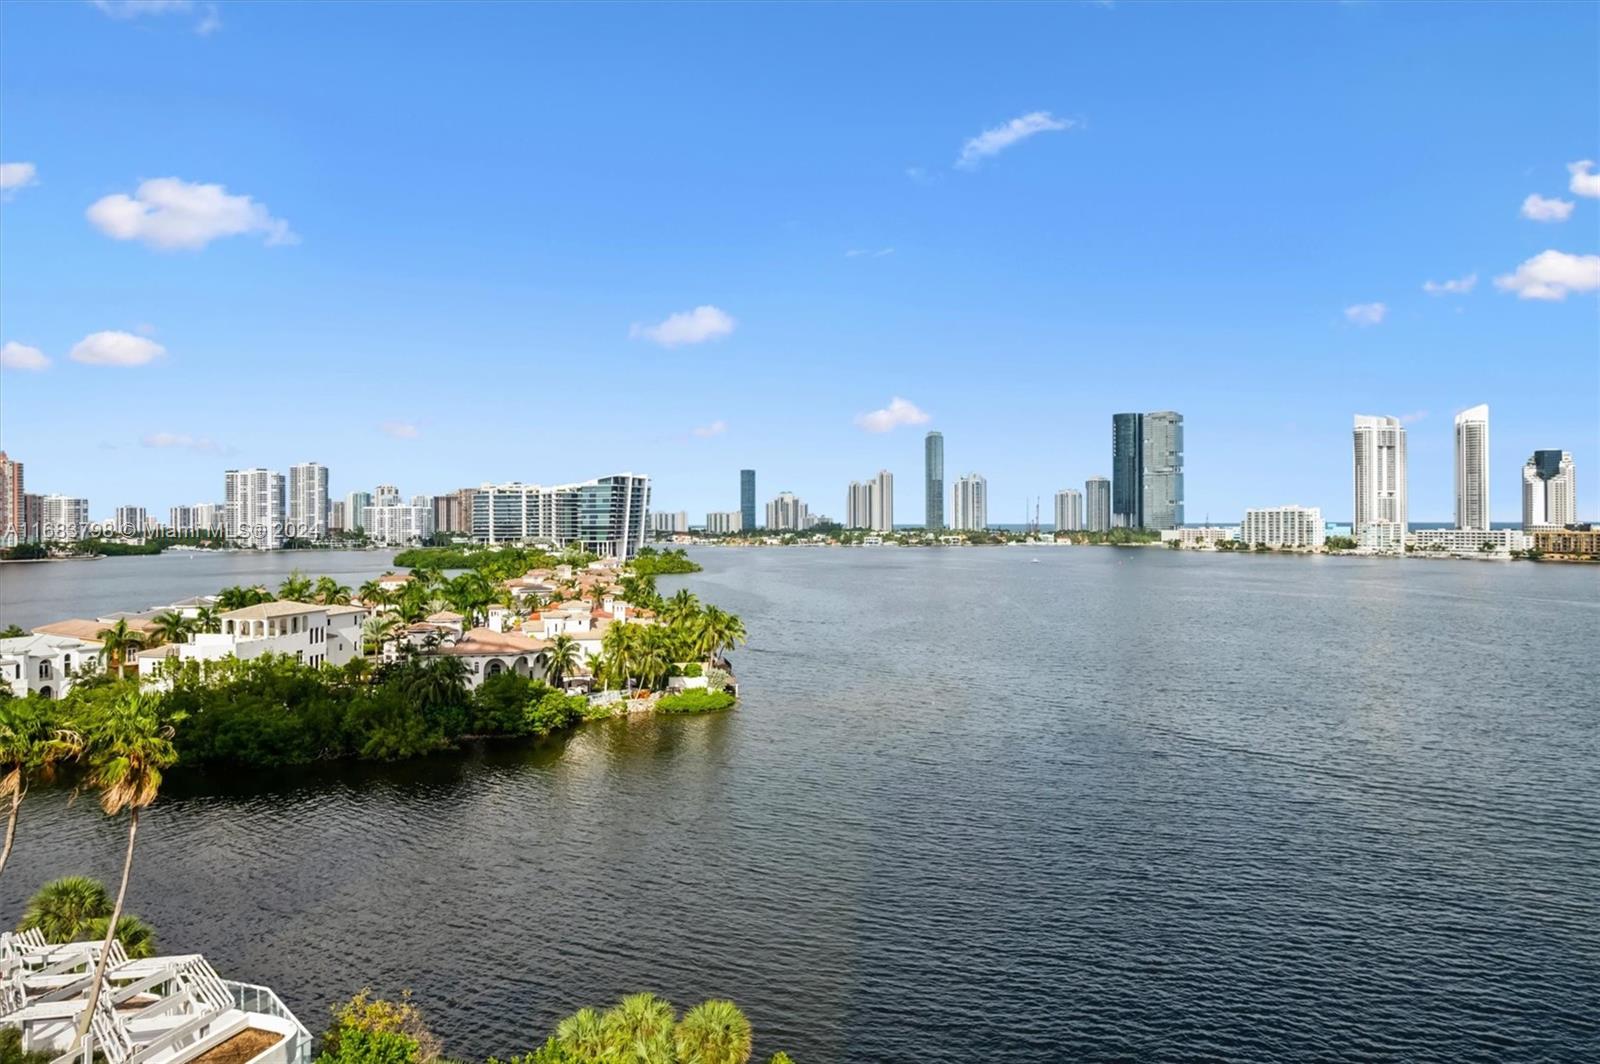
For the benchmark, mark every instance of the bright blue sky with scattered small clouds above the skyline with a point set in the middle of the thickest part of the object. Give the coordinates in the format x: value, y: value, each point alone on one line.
x: 466, y: 225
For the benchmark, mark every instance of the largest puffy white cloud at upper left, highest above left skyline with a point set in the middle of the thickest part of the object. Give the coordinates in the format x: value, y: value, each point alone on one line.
x: 170, y: 214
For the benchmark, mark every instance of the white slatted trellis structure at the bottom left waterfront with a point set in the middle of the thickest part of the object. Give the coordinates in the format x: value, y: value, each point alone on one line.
x: 159, y: 1010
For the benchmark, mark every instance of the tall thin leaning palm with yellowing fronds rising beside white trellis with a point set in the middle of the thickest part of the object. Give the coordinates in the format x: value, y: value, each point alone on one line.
x: 129, y: 746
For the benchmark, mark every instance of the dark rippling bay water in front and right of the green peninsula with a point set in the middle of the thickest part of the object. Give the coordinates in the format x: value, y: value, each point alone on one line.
x: 1114, y: 806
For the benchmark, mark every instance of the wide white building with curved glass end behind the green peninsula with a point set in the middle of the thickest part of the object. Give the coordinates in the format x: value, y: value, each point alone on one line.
x: 606, y: 516
